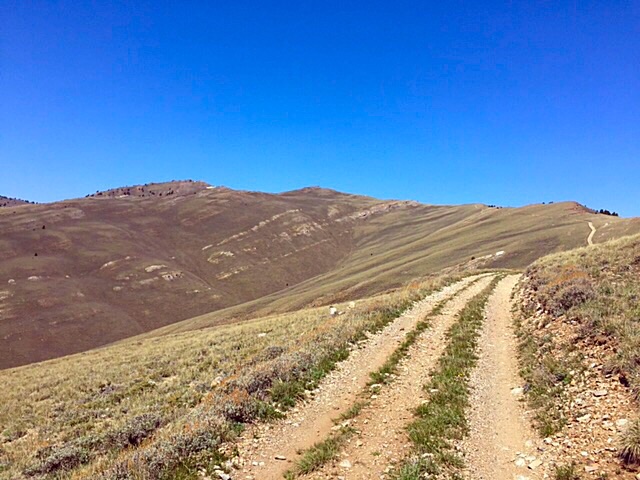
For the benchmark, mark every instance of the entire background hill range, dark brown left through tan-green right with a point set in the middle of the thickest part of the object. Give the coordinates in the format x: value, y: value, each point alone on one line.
x: 87, y: 272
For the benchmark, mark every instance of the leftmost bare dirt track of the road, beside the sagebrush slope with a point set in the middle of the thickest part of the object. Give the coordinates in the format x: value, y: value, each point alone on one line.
x: 267, y: 451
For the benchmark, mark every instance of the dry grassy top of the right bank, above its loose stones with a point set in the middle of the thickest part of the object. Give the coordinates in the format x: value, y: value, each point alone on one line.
x: 598, y: 288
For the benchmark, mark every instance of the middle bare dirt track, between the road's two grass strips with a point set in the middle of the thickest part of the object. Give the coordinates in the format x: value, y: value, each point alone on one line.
x: 381, y: 440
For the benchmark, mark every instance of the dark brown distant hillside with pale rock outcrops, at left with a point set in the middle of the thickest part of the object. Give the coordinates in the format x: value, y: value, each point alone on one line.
x: 82, y: 273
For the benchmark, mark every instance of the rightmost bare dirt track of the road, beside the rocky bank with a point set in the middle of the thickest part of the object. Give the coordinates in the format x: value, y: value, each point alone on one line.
x: 501, y: 444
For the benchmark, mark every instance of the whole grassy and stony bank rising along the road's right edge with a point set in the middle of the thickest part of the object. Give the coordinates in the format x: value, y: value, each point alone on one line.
x: 580, y: 346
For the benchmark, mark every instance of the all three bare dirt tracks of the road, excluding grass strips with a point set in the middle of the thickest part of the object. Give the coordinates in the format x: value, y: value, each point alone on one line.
x: 500, y: 445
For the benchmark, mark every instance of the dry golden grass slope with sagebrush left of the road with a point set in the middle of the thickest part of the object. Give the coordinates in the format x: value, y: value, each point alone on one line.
x: 117, y: 410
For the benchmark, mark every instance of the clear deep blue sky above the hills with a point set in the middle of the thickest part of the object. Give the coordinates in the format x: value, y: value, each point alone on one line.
x: 442, y: 102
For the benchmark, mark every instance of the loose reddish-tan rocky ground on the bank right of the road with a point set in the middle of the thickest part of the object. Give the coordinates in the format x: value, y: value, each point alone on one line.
x: 597, y: 407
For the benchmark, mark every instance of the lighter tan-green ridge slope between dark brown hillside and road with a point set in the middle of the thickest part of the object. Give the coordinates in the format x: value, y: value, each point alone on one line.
x: 391, y: 249
